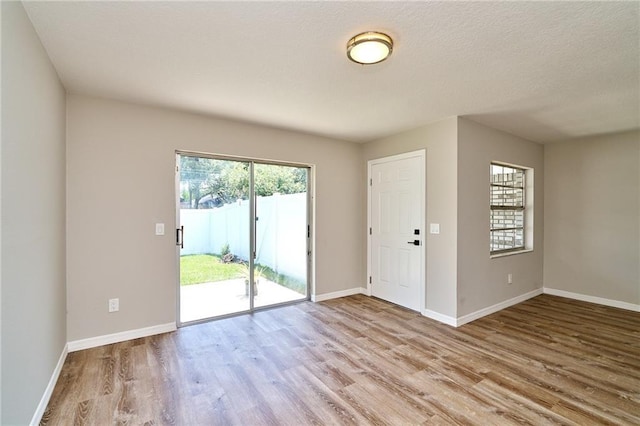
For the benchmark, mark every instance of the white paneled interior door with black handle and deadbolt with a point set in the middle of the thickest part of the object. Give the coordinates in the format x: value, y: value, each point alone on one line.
x: 396, y: 243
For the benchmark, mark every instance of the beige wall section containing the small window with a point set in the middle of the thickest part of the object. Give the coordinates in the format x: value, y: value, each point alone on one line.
x: 482, y: 281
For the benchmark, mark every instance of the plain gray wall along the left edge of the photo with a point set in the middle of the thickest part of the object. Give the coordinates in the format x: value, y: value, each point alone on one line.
x: 33, y: 217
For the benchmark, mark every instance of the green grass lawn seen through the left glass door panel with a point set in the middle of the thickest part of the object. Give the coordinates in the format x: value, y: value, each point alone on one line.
x: 205, y: 268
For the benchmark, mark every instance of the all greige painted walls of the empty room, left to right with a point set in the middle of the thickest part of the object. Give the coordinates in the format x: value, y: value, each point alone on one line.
x: 120, y: 182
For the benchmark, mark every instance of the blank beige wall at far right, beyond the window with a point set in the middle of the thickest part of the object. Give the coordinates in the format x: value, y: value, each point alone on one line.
x: 592, y: 217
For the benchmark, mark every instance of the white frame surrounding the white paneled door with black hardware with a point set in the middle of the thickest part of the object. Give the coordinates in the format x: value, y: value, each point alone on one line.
x: 422, y: 154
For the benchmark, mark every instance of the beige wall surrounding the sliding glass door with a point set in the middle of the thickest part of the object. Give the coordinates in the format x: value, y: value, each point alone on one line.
x: 120, y: 181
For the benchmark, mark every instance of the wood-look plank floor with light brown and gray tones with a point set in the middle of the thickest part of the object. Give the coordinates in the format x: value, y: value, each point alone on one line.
x: 359, y: 360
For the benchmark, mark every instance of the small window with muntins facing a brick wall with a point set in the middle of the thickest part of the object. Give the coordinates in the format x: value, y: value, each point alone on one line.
x: 507, y: 201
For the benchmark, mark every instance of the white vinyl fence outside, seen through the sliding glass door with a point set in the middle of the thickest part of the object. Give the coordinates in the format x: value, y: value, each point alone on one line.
x: 281, y: 232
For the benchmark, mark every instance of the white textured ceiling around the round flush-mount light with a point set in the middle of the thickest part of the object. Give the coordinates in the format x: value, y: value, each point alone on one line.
x: 545, y: 71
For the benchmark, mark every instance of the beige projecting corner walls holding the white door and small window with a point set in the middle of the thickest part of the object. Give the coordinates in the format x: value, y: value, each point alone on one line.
x: 461, y: 278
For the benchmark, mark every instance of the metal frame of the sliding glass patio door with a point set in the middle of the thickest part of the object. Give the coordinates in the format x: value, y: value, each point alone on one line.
x: 310, y: 227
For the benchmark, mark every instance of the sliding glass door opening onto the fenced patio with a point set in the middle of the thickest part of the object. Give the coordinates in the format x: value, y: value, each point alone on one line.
x: 243, y: 235
